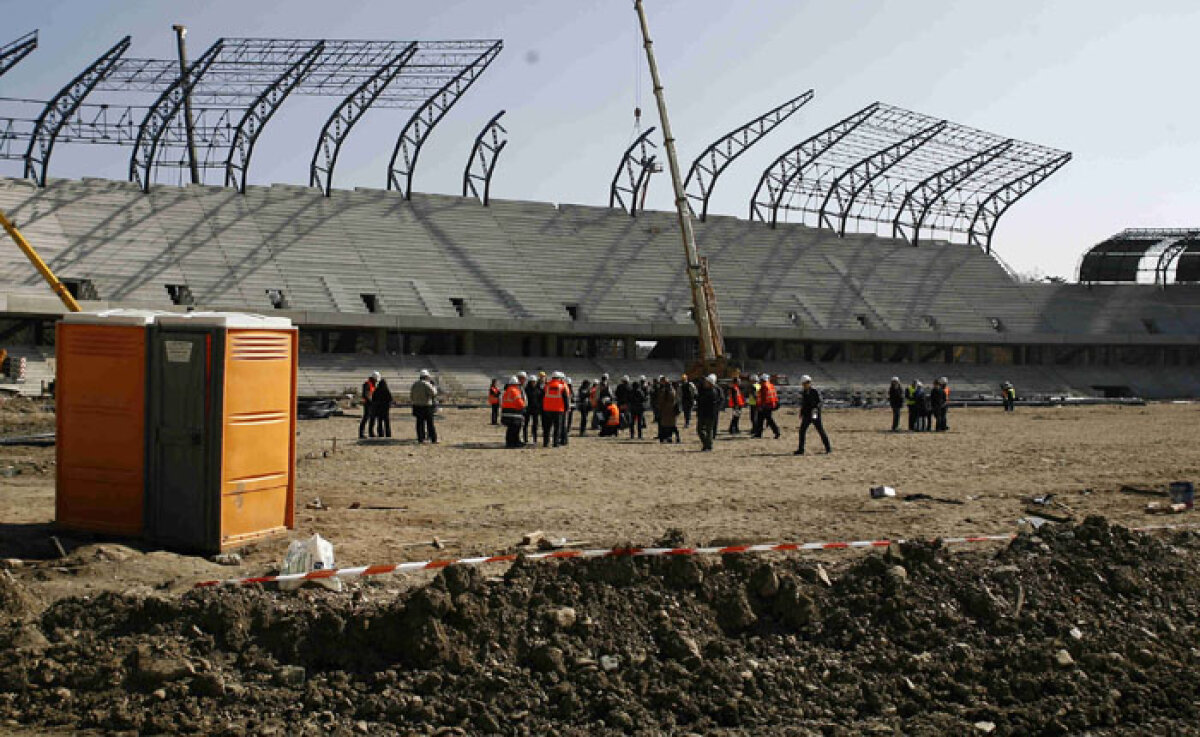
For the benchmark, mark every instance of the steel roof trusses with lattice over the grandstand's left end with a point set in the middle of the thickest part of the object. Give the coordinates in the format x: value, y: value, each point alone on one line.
x: 235, y: 88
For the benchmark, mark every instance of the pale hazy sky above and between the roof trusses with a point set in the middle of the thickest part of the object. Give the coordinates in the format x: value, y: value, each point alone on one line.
x: 1109, y: 81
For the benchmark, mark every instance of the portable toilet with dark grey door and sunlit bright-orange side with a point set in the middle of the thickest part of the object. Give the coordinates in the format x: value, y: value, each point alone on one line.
x: 221, y: 421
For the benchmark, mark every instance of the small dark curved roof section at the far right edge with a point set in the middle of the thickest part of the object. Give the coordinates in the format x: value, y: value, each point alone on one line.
x: 1159, y: 256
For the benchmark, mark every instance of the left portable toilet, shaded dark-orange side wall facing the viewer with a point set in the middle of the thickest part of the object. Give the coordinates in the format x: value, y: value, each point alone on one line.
x: 101, y: 421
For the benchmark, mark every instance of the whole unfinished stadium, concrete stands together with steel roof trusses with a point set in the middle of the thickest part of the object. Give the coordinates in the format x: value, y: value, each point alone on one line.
x: 886, y: 269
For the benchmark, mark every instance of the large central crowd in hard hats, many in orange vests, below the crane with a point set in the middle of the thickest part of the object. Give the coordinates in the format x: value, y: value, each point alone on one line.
x: 529, y: 400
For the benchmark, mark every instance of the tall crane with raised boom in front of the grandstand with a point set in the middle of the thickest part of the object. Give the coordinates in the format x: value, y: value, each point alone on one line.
x: 704, y: 299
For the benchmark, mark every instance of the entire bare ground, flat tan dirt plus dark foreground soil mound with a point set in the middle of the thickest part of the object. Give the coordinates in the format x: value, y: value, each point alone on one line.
x: 1078, y: 627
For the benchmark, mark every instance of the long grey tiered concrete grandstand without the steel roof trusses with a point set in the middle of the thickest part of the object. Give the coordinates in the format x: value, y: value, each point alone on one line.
x: 376, y: 280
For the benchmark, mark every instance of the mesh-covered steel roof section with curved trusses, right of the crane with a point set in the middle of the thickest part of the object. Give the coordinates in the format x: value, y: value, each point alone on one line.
x: 890, y: 171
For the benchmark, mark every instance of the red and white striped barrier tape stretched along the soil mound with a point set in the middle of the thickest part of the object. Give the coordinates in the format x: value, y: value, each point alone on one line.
x: 616, y: 553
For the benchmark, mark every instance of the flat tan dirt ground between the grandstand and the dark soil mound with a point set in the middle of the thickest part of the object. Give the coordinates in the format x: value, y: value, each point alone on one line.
x: 479, y: 499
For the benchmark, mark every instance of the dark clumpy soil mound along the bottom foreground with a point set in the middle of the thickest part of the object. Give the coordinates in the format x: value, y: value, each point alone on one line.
x: 1089, y: 628
